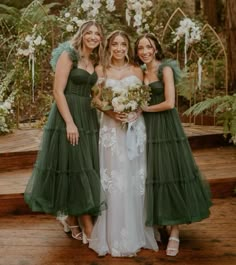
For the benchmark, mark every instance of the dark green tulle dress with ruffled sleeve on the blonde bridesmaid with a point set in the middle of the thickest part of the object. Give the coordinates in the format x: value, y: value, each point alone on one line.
x: 65, y: 178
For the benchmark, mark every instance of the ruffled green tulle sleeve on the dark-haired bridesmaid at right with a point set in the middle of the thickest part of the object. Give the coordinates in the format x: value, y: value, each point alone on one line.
x: 174, y: 66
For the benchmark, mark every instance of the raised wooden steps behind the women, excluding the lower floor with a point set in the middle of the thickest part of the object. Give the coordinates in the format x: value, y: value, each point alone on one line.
x: 18, y: 152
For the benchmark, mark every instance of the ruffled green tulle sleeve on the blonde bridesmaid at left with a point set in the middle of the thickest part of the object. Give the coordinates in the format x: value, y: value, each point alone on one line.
x: 65, y: 46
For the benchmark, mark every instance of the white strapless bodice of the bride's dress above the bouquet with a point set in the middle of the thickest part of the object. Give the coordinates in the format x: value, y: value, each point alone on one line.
x: 125, y: 82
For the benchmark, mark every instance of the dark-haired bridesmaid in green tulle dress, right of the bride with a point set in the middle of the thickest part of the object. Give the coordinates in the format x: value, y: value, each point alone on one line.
x: 175, y: 191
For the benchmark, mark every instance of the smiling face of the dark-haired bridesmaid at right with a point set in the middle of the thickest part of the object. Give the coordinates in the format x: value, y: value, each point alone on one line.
x: 146, y: 50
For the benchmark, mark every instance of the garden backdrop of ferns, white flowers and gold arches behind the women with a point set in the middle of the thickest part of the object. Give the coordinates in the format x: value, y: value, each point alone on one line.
x: 199, y: 34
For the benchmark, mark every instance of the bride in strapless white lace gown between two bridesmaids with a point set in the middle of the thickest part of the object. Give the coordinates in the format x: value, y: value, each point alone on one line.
x: 120, y: 230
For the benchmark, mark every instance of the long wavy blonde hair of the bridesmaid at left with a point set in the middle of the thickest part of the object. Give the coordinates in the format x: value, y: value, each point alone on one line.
x: 77, y: 41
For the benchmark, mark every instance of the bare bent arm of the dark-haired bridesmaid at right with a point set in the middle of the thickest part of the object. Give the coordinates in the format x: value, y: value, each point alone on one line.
x: 169, y: 87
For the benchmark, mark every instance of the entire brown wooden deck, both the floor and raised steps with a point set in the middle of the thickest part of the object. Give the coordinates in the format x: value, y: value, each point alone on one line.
x: 38, y: 239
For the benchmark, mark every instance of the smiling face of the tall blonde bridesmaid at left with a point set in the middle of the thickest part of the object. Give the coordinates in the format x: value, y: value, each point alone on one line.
x: 91, y: 37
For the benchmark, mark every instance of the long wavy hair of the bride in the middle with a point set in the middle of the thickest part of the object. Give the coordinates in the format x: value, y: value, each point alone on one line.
x: 109, y: 40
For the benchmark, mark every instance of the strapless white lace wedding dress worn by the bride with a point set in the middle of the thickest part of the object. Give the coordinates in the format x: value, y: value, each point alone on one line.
x: 121, y: 230
